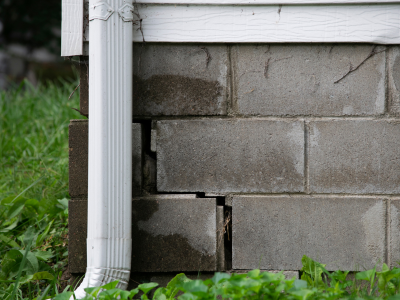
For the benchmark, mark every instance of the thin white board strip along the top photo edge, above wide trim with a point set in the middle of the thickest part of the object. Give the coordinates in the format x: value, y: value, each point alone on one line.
x: 266, y: 2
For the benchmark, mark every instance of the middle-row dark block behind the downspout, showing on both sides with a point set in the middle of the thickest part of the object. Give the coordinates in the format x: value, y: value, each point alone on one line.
x: 78, y: 158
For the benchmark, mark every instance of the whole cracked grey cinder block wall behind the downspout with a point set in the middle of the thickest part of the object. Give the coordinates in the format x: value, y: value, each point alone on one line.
x: 296, y: 144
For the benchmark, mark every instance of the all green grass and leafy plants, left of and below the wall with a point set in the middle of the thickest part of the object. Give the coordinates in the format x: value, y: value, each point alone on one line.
x: 34, y: 222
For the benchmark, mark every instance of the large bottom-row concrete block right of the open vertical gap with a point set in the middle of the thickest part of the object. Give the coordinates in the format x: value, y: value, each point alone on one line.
x: 274, y: 232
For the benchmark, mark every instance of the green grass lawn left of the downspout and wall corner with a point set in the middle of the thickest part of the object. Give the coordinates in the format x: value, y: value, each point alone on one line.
x: 34, y: 187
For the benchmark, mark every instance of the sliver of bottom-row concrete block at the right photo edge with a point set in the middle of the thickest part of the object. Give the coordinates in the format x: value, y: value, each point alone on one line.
x: 394, y: 233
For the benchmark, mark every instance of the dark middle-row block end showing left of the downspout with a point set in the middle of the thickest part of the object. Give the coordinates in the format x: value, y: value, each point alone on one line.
x: 78, y: 158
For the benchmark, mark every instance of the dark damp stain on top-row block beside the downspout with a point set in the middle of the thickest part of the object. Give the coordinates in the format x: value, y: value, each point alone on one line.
x: 175, y: 95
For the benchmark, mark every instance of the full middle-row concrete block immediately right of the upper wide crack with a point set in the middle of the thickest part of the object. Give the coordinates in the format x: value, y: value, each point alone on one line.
x: 230, y: 155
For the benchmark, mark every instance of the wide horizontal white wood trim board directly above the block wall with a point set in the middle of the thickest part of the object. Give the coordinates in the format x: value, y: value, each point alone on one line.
x: 270, y: 24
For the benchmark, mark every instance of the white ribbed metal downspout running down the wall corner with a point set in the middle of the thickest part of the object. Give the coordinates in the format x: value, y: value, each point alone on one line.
x: 109, y: 240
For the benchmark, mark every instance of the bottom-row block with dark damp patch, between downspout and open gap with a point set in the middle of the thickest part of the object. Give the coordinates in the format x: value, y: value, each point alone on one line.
x: 174, y: 235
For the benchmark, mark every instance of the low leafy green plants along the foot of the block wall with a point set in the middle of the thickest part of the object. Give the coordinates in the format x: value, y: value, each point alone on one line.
x: 315, y: 283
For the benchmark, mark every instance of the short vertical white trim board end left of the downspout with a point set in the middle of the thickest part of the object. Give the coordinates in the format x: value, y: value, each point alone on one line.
x: 72, y: 27
